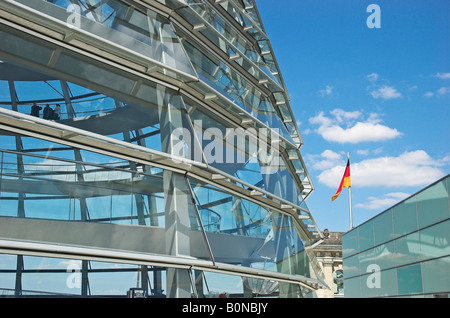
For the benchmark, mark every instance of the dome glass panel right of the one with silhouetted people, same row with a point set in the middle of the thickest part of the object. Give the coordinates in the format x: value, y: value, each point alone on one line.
x: 244, y: 155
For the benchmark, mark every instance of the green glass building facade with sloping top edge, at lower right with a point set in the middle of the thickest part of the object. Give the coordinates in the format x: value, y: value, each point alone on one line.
x: 404, y: 251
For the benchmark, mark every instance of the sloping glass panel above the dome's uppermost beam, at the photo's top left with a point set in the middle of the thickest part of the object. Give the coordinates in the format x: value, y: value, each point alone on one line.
x: 148, y: 34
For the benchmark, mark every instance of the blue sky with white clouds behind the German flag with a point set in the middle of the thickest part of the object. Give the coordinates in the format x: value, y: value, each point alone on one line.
x: 380, y: 94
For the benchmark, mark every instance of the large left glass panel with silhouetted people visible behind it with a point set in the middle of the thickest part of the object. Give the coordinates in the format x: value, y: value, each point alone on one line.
x: 82, y: 108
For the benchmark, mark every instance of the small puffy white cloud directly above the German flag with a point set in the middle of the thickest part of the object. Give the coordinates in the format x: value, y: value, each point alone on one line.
x: 352, y: 132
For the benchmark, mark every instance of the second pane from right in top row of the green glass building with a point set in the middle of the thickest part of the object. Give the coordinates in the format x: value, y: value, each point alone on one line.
x: 405, y: 217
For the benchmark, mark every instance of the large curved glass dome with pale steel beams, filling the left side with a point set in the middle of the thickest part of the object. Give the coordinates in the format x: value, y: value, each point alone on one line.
x: 148, y: 149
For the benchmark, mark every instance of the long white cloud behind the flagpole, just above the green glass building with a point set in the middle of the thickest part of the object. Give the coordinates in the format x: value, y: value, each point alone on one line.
x: 415, y: 168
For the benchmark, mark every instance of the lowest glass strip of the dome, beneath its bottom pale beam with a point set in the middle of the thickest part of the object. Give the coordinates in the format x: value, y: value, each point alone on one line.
x: 46, y: 277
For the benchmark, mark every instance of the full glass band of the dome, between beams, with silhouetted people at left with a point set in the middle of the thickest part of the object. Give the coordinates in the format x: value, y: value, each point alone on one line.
x: 196, y: 133
